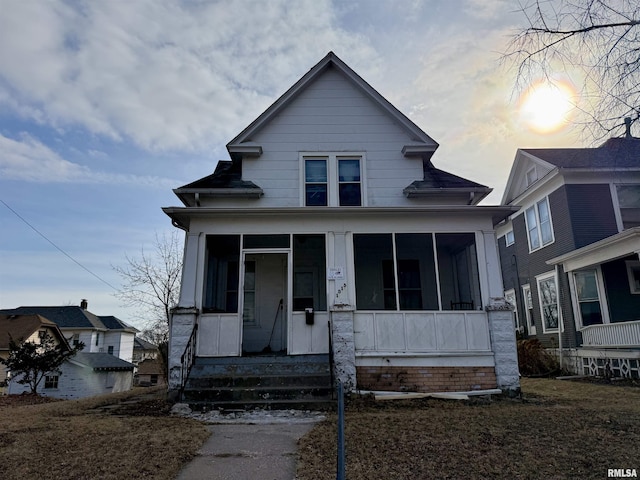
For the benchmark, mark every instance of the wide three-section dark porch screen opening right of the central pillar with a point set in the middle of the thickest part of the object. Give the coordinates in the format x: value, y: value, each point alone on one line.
x: 398, y: 271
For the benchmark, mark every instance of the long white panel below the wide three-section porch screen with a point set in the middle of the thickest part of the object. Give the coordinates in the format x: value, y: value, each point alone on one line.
x: 422, y: 332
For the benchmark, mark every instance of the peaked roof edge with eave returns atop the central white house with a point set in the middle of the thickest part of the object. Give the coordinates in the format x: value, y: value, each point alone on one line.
x: 241, y: 144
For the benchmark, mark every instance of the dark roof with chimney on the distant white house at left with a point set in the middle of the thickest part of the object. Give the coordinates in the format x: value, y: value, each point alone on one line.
x: 73, y: 317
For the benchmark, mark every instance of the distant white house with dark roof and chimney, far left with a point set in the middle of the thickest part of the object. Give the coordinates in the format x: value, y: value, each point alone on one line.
x: 106, y: 334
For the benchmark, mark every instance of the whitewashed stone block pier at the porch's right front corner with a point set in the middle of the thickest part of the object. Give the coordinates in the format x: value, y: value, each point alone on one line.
x: 503, y: 345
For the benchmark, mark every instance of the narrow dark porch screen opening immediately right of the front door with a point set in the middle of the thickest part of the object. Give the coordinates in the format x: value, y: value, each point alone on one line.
x: 309, y: 266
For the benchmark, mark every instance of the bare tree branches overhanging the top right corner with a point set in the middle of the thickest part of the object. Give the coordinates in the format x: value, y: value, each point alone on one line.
x: 601, y: 38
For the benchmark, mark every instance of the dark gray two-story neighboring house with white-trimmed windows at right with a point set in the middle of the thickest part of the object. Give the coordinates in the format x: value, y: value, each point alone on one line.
x: 569, y: 254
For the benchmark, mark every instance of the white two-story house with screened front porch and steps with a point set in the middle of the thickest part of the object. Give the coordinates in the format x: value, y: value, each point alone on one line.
x: 330, y: 235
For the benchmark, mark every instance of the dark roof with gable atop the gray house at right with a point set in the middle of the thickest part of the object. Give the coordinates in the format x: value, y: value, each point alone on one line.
x: 613, y: 155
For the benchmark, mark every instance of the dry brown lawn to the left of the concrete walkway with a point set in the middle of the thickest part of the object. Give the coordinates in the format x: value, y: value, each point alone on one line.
x: 107, y: 437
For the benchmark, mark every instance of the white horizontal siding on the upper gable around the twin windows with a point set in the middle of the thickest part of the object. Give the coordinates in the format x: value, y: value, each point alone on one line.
x: 331, y: 115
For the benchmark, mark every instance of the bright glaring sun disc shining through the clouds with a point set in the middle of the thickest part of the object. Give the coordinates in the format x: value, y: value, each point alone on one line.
x: 545, y: 107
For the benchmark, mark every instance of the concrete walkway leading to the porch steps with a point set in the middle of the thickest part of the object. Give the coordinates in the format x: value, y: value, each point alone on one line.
x: 264, y: 451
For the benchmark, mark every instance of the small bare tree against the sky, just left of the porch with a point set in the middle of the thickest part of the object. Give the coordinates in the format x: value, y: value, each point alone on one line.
x: 151, y: 282
